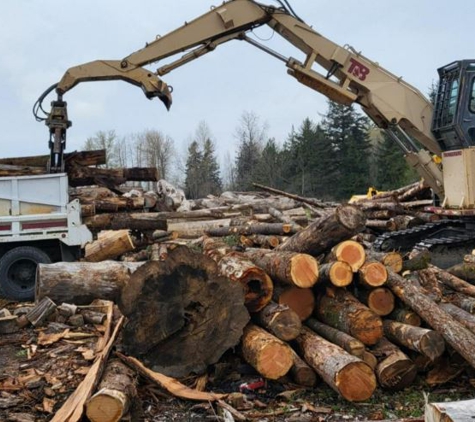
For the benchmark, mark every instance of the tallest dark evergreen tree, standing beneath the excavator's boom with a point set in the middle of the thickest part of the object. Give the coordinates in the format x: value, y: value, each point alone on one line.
x: 348, y: 132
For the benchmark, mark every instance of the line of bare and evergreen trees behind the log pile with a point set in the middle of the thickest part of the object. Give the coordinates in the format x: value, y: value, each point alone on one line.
x: 340, y: 155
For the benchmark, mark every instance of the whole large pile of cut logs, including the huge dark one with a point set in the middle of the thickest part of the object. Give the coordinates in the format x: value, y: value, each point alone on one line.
x: 291, y: 284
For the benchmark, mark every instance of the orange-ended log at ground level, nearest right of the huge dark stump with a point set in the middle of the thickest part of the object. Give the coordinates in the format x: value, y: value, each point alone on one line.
x: 271, y: 357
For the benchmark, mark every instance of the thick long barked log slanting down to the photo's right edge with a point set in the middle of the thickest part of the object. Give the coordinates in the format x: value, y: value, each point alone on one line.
x: 455, y: 334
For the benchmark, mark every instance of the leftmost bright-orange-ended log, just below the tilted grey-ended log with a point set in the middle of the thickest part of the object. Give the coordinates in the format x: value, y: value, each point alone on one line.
x: 292, y: 268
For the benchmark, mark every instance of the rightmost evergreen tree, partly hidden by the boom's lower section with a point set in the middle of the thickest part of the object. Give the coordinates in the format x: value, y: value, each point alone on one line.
x: 392, y: 170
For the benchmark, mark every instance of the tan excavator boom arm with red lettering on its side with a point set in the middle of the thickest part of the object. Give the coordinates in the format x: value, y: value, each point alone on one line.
x: 340, y: 73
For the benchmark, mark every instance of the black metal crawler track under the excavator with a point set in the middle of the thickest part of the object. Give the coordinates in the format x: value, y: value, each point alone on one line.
x: 447, y: 240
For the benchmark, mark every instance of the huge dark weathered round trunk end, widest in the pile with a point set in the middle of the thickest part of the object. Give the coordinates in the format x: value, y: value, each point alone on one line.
x: 182, y: 315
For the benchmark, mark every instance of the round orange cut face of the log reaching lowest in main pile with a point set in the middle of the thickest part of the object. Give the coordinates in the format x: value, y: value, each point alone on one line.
x: 356, y: 382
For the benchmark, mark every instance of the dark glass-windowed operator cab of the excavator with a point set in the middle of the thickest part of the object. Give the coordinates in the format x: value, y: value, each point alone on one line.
x: 453, y: 123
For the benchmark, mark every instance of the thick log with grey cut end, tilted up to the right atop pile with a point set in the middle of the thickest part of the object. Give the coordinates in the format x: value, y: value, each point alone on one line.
x: 323, y: 234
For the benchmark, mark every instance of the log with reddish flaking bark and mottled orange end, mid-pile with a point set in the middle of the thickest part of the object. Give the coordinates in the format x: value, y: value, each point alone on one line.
x: 341, y: 310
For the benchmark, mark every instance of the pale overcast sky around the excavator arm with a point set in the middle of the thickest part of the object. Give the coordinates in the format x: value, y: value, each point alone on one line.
x: 41, y: 39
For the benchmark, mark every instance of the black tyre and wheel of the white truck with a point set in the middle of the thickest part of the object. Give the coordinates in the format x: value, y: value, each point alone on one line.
x: 18, y: 272
